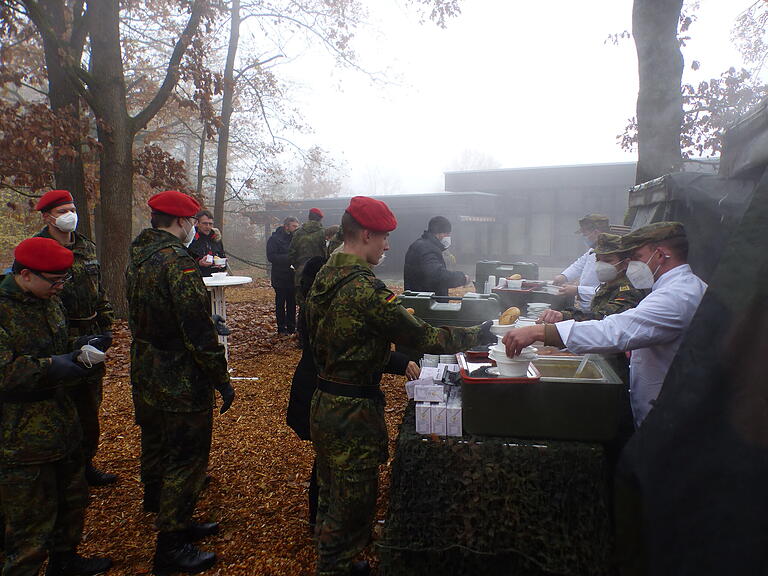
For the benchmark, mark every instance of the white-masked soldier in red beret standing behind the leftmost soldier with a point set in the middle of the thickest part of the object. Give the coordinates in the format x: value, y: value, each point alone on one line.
x: 88, y: 313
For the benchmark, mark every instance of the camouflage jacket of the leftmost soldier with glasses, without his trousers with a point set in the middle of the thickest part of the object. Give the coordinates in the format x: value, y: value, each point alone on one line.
x: 31, y: 331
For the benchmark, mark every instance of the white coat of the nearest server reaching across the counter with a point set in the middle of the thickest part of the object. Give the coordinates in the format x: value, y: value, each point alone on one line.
x: 654, y: 331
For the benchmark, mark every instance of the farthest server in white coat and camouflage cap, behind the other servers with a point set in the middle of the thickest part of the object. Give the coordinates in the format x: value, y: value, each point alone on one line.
x: 580, y: 279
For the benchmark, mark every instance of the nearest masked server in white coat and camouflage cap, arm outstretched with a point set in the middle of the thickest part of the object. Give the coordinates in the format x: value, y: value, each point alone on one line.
x: 653, y: 331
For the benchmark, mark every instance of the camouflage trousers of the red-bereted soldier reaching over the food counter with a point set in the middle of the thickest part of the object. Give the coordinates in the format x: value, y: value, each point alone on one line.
x: 350, y: 441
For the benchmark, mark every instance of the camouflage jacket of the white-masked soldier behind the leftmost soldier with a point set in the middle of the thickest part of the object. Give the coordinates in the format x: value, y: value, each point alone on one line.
x: 84, y: 297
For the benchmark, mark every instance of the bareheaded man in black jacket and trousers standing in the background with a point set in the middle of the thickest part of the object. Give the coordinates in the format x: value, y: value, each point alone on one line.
x: 282, y: 275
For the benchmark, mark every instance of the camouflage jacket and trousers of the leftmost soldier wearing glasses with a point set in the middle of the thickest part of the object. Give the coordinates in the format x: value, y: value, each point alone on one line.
x: 42, y: 483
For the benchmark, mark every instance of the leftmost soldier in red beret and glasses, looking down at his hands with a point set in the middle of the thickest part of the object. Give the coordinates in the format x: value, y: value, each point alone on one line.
x: 43, y: 492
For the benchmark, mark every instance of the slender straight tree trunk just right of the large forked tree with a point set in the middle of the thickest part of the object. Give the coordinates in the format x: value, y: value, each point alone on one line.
x: 226, y: 115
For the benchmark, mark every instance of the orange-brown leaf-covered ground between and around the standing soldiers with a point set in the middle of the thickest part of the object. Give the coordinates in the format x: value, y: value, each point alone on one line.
x: 260, y: 468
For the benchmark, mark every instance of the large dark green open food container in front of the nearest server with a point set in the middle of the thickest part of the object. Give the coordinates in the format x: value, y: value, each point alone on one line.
x: 592, y: 407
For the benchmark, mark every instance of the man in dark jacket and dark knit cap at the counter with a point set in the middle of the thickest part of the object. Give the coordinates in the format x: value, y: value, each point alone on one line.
x: 425, y: 269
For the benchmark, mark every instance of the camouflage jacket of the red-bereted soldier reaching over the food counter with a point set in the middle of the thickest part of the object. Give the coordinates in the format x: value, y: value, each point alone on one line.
x: 352, y: 325
